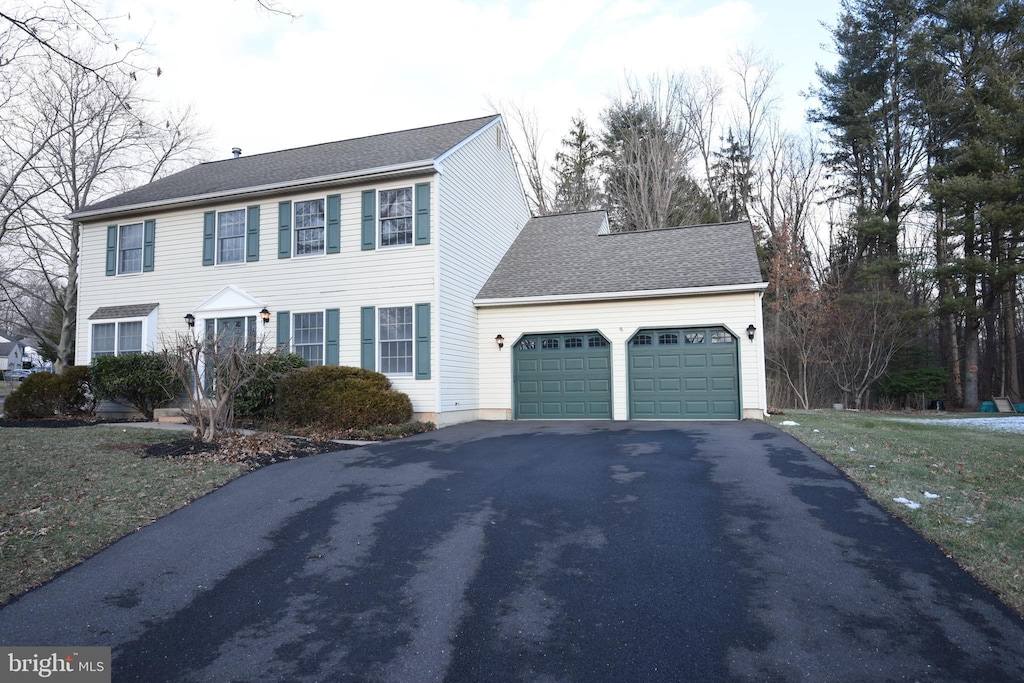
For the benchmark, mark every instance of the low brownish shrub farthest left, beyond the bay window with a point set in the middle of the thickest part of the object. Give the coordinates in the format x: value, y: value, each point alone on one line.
x: 46, y: 396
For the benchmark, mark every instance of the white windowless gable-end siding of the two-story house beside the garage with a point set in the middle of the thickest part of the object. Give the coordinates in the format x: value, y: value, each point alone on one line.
x: 483, y: 209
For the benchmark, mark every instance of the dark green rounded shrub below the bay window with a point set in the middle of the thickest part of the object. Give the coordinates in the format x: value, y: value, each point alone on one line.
x: 144, y: 380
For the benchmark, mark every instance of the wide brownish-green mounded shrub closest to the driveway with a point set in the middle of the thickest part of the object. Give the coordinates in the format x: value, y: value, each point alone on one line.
x: 340, y: 398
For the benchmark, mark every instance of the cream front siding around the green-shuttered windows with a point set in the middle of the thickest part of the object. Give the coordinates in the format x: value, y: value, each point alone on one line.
x: 180, y: 283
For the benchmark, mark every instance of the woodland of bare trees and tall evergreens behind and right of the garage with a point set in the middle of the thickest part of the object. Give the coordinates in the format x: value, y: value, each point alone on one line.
x: 890, y: 231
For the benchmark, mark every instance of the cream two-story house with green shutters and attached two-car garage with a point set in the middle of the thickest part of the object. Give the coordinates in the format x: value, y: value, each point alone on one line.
x: 408, y: 253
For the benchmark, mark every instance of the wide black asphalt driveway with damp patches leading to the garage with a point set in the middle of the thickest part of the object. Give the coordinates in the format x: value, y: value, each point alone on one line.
x: 589, y: 551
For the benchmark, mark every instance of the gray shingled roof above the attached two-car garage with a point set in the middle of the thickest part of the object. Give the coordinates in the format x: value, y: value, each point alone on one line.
x: 565, y: 255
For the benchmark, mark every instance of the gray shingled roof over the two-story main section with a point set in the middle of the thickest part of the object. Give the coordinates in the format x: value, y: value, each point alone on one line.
x: 293, y: 167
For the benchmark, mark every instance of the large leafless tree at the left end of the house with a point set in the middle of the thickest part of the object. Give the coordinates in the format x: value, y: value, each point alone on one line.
x: 90, y: 140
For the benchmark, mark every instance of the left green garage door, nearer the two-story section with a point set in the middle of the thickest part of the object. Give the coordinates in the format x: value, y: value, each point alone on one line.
x: 563, y: 376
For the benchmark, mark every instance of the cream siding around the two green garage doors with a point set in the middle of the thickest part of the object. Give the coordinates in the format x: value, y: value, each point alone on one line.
x: 618, y: 321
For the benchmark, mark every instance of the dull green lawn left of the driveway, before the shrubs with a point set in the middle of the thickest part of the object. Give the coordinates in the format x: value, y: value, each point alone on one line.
x: 68, y: 493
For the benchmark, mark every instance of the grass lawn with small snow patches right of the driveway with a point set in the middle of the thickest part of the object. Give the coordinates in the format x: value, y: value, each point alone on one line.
x: 969, y: 484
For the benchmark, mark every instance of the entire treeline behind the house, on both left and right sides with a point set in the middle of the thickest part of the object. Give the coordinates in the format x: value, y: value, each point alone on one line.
x: 889, y: 228
